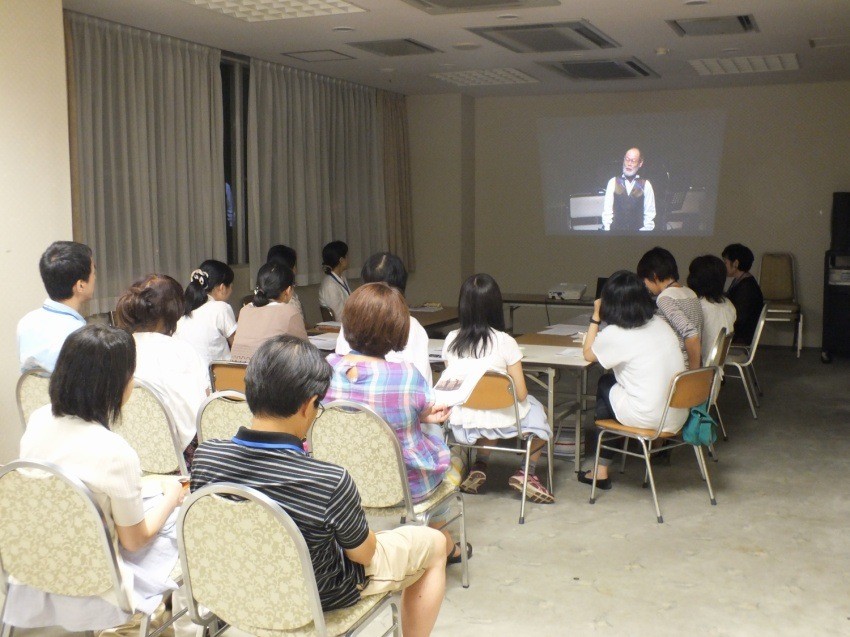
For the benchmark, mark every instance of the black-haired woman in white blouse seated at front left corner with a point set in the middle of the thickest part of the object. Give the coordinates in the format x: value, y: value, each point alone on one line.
x: 92, y: 380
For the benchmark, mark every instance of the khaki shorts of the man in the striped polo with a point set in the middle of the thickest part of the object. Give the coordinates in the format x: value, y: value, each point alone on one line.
x: 400, y: 558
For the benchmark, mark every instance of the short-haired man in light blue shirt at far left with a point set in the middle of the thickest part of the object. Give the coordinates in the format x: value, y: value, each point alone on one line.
x: 68, y: 273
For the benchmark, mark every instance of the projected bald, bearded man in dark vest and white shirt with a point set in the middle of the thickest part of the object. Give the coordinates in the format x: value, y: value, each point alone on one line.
x: 629, y: 204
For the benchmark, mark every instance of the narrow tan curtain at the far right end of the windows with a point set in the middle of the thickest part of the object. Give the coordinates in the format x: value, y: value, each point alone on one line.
x: 392, y: 109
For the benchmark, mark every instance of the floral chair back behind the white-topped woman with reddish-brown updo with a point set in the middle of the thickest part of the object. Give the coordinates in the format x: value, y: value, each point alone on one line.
x: 147, y: 424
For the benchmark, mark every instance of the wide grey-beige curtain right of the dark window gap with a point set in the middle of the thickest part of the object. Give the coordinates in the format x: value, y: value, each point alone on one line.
x: 315, y: 167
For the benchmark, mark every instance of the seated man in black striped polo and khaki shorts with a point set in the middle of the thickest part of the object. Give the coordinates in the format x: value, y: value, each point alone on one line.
x: 284, y: 382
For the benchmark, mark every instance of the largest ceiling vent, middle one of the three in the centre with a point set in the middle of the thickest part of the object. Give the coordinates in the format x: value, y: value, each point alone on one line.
x: 547, y: 38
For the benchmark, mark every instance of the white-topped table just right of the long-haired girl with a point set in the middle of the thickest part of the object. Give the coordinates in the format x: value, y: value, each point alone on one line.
x: 542, y: 355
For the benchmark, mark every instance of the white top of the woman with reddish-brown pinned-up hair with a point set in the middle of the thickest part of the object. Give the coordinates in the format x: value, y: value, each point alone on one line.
x: 176, y: 371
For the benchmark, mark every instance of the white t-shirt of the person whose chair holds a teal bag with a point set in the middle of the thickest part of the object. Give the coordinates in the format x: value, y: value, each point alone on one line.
x: 644, y: 360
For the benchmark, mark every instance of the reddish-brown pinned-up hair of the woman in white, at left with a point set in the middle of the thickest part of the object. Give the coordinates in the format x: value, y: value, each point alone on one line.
x: 149, y: 301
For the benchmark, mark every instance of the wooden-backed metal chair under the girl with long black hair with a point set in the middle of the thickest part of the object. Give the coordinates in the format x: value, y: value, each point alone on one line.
x: 496, y: 390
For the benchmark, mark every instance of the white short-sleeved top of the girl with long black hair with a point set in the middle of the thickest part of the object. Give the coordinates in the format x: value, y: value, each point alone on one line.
x: 502, y: 352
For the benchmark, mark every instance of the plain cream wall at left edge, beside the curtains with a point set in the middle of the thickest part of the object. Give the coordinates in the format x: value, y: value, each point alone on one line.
x: 34, y: 173
